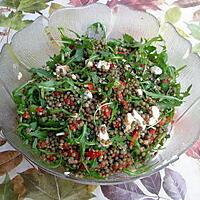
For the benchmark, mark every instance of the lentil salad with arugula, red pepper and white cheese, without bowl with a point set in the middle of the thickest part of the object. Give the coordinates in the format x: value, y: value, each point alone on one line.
x: 100, y: 106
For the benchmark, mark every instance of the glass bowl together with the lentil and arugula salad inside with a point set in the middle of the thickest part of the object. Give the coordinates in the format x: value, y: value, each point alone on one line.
x: 99, y: 95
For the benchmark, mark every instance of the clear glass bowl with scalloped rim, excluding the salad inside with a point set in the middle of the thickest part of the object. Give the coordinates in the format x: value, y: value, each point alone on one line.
x: 32, y: 46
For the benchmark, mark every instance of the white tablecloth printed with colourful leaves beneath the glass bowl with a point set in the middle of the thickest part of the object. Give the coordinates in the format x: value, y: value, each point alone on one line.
x: 22, y: 180
